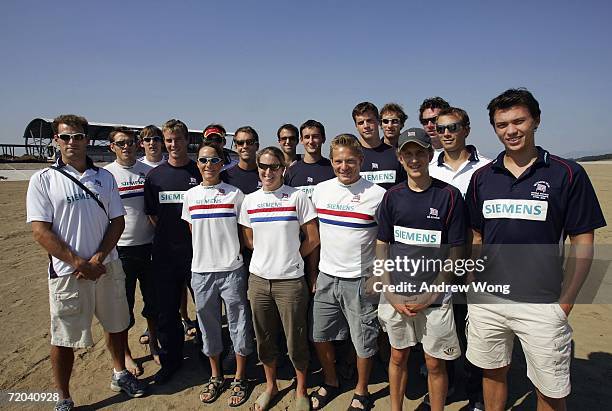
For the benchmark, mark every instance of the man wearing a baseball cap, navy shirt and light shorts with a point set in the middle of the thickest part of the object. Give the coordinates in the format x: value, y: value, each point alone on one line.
x: 433, y: 229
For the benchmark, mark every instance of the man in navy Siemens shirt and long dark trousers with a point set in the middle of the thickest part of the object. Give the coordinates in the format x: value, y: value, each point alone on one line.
x: 165, y: 188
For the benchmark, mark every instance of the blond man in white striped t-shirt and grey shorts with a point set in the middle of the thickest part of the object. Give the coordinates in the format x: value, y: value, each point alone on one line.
x: 346, y: 206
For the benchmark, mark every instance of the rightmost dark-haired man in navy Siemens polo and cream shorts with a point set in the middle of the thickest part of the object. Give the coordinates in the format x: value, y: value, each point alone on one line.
x: 524, y: 204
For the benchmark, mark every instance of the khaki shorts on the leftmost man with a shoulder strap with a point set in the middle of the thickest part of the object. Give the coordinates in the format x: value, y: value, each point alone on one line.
x: 74, y: 302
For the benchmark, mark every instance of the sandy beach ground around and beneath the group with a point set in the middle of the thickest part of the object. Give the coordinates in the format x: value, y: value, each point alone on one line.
x: 24, y: 336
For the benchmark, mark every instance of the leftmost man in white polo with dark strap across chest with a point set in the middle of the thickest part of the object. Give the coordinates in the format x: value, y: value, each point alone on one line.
x: 77, y: 217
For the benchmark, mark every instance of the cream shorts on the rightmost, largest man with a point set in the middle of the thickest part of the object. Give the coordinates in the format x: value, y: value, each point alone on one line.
x: 543, y: 331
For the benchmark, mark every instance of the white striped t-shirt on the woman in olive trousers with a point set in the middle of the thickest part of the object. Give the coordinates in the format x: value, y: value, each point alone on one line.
x: 275, y: 218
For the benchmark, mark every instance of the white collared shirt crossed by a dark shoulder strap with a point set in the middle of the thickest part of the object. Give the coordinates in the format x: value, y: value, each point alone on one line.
x: 74, y: 215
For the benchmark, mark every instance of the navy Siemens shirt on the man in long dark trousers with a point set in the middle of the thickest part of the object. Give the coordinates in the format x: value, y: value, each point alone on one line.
x: 164, y: 190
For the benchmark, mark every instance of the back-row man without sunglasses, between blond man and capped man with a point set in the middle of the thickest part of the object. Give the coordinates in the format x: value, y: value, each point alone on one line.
x: 380, y: 165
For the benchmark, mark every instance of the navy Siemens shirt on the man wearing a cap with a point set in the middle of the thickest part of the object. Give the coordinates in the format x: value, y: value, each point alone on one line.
x: 421, y: 226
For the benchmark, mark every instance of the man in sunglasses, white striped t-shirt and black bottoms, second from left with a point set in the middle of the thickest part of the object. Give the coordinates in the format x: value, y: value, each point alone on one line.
x: 134, y: 246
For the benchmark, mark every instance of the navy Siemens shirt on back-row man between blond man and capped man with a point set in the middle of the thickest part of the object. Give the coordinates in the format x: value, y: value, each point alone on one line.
x: 381, y: 166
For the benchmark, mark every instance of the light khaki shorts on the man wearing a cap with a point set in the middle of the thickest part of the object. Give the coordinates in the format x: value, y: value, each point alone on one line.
x: 434, y: 327
